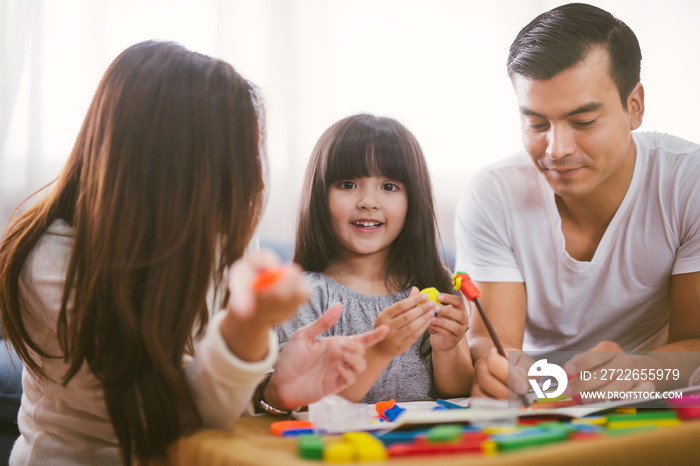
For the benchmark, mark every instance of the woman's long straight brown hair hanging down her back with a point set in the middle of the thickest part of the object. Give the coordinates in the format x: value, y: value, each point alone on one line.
x: 163, y: 189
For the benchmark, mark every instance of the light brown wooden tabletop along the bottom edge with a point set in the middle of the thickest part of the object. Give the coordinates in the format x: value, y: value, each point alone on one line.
x: 249, y: 442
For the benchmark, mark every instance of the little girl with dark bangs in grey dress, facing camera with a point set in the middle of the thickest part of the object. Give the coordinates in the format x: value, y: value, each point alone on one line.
x: 367, y: 237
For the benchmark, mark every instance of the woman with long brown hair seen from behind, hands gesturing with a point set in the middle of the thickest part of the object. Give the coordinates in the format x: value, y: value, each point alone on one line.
x: 104, y: 282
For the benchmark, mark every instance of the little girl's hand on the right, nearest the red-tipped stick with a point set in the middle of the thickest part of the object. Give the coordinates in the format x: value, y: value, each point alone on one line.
x: 450, y: 324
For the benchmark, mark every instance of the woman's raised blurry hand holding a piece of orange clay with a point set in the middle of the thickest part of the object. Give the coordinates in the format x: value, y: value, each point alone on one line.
x: 252, y: 314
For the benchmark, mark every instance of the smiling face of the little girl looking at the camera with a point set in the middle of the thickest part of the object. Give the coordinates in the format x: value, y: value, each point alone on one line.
x: 367, y: 213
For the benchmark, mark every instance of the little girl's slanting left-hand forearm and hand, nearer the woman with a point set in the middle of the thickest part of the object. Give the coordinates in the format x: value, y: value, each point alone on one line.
x: 407, y: 320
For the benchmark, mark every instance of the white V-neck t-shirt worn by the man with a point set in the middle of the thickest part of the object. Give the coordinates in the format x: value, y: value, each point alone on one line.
x: 508, y: 229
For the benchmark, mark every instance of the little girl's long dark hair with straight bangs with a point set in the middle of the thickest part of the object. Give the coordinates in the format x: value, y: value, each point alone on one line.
x: 366, y: 145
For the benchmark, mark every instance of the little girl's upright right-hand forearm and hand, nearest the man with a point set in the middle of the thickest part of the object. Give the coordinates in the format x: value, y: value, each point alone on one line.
x: 453, y: 372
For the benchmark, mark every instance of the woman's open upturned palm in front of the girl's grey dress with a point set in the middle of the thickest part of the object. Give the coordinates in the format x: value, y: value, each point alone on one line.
x: 309, y: 368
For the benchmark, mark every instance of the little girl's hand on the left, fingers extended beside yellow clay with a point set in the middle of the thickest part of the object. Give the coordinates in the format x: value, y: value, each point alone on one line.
x: 407, y: 320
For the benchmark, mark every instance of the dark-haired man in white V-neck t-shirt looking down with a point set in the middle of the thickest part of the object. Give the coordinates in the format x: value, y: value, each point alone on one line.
x: 593, y: 243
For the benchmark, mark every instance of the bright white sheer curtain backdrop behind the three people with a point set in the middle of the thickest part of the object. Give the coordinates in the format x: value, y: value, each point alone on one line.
x: 437, y: 66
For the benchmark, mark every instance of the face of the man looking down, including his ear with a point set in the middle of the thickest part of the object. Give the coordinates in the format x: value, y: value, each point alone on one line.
x: 575, y: 128
